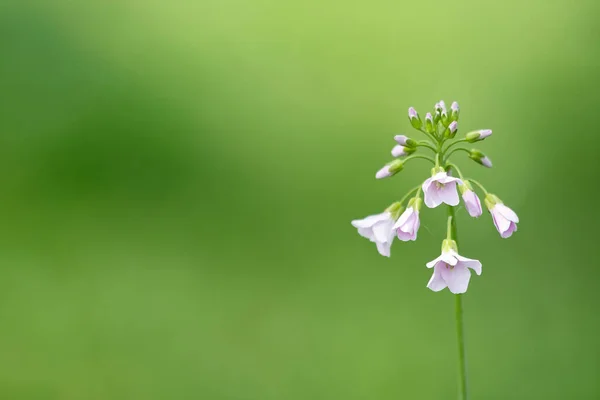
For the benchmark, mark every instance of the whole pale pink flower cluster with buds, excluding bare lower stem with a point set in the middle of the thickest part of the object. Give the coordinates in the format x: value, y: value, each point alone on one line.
x: 450, y: 269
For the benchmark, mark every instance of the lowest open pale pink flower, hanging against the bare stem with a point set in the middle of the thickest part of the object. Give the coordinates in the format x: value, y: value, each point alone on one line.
x: 451, y: 270
